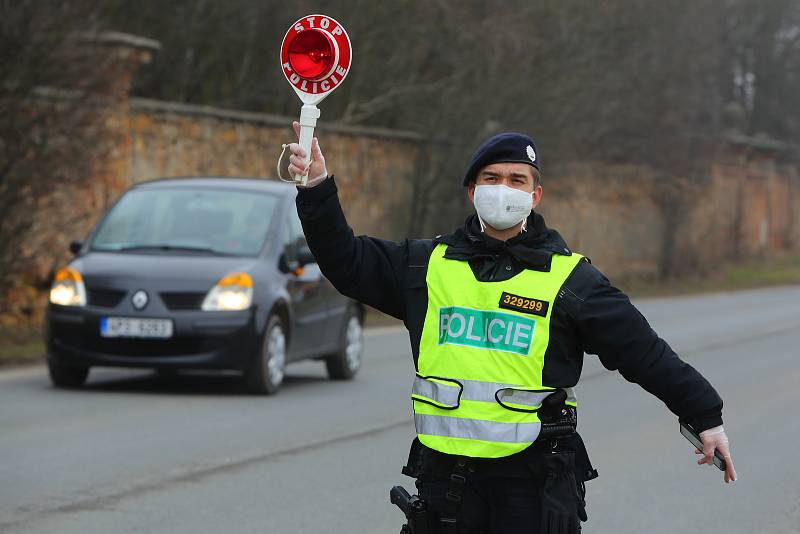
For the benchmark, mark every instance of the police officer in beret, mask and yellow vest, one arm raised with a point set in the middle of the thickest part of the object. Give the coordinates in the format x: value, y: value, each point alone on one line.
x: 499, y: 314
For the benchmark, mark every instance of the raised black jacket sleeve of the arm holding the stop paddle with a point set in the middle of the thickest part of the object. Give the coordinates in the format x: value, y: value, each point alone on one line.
x: 363, y: 268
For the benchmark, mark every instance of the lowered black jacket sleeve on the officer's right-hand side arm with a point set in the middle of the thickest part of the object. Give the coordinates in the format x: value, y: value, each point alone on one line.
x: 611, y: 327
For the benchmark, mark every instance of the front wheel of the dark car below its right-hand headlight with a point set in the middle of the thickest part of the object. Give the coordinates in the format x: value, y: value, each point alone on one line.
x: 268, y: 368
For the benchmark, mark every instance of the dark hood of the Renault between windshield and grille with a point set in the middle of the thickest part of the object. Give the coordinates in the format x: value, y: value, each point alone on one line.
x: 177, y: 272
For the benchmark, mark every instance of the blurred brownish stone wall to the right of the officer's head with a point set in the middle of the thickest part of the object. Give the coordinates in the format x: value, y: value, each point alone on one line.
x: 744, y: 207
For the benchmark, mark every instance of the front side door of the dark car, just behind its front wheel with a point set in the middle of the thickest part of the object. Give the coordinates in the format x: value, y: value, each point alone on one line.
x: 307, y: 289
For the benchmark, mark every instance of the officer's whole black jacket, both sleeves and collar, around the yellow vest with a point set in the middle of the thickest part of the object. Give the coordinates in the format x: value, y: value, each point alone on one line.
x: 589, y: 314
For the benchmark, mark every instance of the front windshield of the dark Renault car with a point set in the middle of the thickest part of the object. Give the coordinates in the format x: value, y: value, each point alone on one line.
x: 201, y: 220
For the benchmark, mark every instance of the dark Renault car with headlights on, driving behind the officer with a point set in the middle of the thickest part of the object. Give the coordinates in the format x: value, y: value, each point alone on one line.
x: 199, y: 273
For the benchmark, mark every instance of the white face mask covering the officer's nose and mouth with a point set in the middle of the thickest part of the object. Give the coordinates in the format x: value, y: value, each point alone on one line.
x: 502, y: 207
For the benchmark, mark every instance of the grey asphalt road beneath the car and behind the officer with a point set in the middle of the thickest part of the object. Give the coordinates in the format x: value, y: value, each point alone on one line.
x: 137, y: 453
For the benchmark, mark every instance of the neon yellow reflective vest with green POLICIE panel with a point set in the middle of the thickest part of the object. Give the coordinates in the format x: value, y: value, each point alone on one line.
x: 479, y: 380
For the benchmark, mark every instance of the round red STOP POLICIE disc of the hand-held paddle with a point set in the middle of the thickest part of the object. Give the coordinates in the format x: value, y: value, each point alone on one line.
x: 315, y: 57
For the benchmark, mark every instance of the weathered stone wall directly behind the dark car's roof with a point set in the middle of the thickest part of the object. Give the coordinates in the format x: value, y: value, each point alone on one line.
x: 374, y: 166
